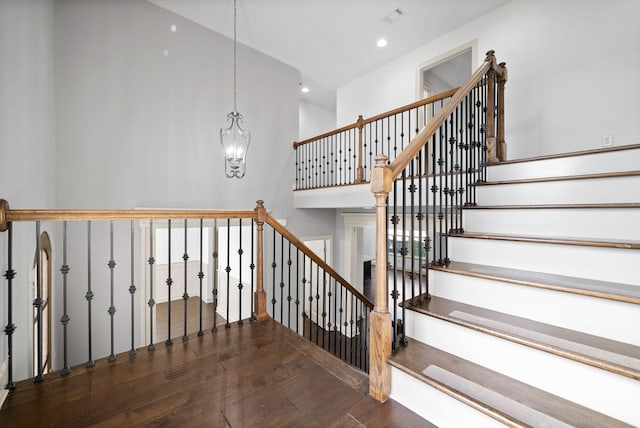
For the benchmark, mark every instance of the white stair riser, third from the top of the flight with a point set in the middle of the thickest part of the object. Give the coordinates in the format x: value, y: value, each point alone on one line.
x: 602, y: 223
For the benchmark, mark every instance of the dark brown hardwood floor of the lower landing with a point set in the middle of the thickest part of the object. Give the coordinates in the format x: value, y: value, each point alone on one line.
x: 255, y: 374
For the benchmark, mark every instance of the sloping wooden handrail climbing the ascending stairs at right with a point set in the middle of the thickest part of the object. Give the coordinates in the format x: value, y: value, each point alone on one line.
x: 411, y: 151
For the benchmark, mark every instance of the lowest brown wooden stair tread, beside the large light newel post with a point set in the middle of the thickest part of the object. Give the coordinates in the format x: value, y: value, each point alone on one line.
x: 503, y: 398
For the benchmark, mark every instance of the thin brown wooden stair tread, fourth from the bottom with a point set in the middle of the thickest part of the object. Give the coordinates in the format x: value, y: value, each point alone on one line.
x: 588, y: 242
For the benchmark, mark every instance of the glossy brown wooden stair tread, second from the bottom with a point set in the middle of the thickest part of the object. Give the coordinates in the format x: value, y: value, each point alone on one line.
x: 607, y: 354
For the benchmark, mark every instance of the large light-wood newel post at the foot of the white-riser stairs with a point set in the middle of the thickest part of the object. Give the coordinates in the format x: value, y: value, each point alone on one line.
x: 380, y: 324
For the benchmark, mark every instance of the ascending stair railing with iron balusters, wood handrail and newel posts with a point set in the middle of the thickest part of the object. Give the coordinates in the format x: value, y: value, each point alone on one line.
x: 420, y: 195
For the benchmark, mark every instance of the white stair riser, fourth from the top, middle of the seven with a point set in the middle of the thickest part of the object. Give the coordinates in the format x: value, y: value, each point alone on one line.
x: 605, y: 264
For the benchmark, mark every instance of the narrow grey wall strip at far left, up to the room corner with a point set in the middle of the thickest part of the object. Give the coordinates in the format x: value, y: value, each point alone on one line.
x: 27, y: 161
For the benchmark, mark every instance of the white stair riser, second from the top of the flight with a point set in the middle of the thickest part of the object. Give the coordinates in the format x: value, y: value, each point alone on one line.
x: 611, y: 190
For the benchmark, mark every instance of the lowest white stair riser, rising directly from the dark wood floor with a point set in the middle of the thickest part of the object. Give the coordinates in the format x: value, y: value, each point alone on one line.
x: 435, y: 406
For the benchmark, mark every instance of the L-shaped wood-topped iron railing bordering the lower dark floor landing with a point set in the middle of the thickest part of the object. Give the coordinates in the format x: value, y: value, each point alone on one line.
x: 304, y: 293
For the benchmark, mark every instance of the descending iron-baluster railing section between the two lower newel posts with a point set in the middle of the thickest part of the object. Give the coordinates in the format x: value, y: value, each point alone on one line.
x: 313, y: 300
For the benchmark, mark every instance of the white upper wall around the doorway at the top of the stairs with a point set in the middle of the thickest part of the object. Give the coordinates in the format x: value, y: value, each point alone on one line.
x: 573, y: 68
